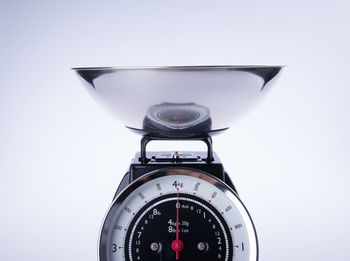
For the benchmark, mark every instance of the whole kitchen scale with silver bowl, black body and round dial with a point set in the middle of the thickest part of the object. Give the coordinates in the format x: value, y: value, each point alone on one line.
x: 178, y: 205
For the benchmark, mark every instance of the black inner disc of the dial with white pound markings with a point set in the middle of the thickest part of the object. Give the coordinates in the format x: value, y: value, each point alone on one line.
x: 178, y: 227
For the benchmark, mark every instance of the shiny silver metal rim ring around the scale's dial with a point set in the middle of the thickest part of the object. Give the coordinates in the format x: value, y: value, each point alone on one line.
x: 107, y: 224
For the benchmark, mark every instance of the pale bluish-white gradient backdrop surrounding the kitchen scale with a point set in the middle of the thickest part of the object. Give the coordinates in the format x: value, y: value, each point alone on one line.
x: 62, y: 157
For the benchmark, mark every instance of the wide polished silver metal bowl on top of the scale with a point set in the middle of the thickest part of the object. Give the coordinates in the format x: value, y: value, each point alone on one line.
x: 178, y: 100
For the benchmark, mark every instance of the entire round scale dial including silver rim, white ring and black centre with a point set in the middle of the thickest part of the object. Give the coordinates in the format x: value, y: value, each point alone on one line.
x: 177, y: 214
